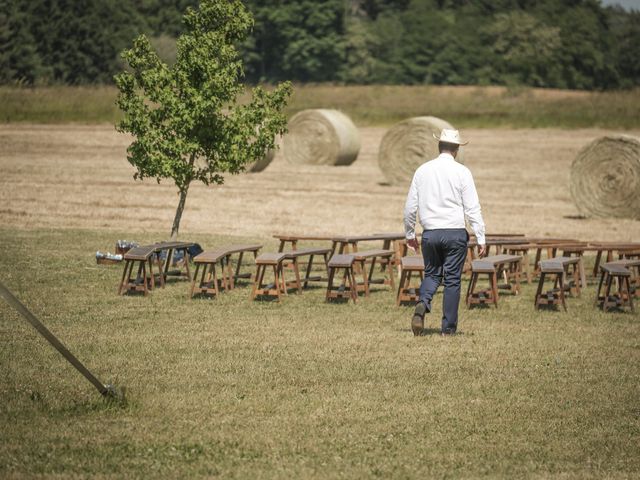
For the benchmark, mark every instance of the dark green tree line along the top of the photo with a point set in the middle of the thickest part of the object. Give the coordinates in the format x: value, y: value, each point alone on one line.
x: 543, y: 43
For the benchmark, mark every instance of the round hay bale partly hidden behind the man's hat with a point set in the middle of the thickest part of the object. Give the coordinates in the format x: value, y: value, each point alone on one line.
x: 409, y: 144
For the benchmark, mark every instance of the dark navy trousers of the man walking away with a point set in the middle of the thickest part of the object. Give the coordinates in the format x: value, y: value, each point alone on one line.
x: 444, y: 252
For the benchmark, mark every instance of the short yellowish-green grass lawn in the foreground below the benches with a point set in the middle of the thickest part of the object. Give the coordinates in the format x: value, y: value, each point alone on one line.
x: 302, y: 389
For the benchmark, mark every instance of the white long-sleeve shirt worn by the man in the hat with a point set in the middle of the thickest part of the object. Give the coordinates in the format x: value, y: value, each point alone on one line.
x: 443, y: 193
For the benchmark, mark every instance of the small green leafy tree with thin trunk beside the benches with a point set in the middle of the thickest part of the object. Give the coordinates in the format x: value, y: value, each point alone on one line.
x: 187, y: 119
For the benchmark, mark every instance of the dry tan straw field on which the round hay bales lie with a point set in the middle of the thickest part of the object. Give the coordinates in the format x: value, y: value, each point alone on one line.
x: 78, y: 177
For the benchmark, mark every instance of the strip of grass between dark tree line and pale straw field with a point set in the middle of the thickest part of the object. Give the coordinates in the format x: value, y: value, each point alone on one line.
x: 478, y: 107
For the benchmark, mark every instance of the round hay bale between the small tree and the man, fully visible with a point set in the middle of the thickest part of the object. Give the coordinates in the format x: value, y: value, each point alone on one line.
x: 321, y: 137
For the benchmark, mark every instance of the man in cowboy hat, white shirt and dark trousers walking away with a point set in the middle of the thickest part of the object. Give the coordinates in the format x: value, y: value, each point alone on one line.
x: 443, y: 193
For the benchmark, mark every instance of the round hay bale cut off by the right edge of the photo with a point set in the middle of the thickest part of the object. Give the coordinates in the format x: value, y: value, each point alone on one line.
x: 605, y: 177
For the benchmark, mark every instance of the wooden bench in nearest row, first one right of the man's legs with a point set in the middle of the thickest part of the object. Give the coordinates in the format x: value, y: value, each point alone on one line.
x: 493, y: 266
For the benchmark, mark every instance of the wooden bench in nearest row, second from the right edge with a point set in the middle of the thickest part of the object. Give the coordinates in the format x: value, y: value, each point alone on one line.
x: 559, y: 268
